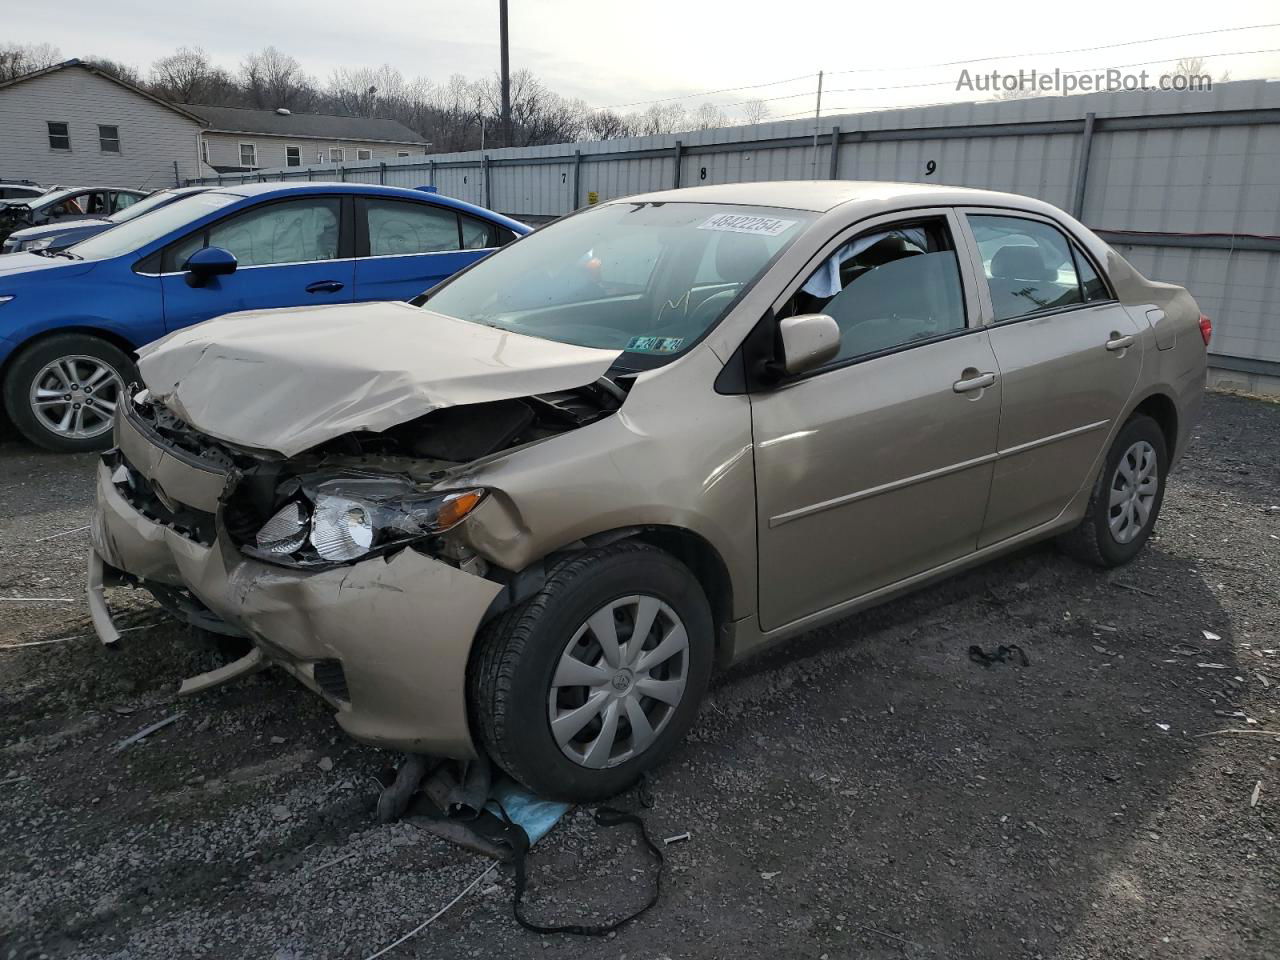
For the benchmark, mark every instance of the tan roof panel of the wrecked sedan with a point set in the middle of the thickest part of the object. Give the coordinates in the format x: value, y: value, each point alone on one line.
x: 821, y: 196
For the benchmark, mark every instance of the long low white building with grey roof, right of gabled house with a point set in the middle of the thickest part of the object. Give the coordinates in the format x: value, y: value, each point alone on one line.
x: 248, y: 140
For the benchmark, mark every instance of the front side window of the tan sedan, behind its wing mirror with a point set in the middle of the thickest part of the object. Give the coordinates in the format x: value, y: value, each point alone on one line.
x: 888, y: 289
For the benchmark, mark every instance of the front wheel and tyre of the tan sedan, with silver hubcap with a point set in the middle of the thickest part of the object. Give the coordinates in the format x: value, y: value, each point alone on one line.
x: 597, y: 678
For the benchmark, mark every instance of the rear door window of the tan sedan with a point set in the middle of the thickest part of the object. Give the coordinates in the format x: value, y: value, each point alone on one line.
x: 1028, y: 264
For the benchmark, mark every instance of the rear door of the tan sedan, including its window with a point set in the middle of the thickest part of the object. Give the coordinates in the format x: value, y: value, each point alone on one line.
x: 1069, y: 359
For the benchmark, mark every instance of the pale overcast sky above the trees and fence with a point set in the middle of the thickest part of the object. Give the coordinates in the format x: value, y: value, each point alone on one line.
x: 614, y: 53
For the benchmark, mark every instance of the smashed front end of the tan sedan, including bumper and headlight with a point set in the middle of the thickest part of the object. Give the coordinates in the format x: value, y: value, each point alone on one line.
x: 340, y: 564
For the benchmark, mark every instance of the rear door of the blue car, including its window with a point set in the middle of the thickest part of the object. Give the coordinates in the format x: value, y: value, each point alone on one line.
x: 409, y: 246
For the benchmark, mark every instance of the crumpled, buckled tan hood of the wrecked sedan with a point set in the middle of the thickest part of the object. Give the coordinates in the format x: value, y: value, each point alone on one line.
x: 286, y: 381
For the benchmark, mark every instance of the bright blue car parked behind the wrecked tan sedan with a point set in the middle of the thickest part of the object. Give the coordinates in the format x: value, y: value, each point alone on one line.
x: 71, y: 322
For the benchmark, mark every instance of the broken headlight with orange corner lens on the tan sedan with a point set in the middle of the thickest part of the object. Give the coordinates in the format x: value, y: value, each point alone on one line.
x: 348, y: 518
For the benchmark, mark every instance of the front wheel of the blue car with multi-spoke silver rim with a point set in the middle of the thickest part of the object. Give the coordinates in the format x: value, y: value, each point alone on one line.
x: 62, y: 391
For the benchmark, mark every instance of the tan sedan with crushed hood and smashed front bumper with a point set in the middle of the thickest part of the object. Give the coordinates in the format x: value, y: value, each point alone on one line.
x: 528, y: 513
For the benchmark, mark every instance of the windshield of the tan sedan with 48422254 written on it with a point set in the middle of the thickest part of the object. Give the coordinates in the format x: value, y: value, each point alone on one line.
x: 646, y: 278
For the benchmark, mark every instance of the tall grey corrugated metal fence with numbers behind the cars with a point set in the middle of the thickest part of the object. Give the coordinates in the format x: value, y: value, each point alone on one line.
x: 1186, y: 185
